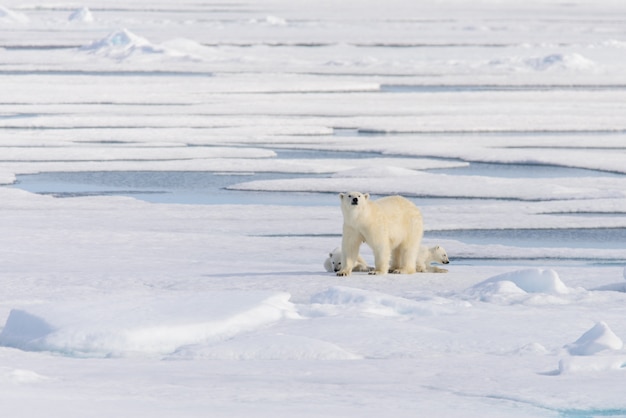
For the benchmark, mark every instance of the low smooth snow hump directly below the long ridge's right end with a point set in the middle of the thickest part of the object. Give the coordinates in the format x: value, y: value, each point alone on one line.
x: 267, y: 347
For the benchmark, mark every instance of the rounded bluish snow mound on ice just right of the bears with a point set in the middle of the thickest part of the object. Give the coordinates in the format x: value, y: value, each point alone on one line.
x: 533, y: 280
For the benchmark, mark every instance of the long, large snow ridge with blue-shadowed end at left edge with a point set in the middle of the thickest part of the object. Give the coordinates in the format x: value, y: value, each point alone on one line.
x: 160, y: 325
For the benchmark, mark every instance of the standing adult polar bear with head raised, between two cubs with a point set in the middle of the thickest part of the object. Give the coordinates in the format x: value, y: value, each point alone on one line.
x: 391, y: 226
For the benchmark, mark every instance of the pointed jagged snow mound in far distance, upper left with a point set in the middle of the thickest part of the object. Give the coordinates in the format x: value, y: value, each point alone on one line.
x: 123, y: 44
